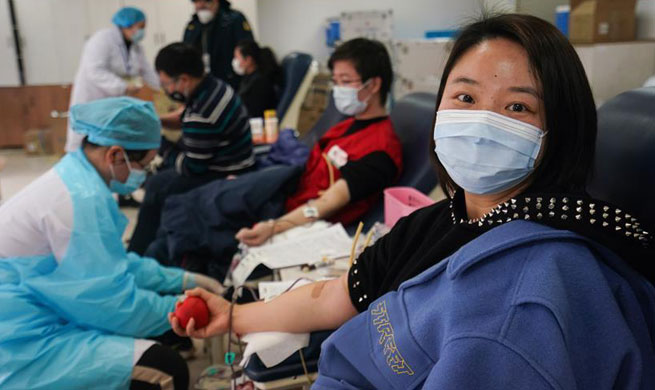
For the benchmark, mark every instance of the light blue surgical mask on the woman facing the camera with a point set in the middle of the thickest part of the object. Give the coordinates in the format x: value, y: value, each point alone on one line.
x: 485, y: 152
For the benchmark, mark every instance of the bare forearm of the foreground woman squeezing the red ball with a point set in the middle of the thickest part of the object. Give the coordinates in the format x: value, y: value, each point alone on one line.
x: 316, y: 306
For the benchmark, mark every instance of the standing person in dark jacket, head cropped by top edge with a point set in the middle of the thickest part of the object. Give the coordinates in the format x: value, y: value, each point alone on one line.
x: 215, y: 29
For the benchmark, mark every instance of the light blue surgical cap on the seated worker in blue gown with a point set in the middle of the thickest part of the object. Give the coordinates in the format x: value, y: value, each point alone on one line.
x: 123, y: 121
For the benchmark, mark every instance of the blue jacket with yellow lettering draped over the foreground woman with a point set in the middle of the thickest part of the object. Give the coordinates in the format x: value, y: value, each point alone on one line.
x: 523, y: 306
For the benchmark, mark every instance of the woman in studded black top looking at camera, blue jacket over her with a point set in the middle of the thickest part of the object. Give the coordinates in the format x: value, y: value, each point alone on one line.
x: 519, y: 280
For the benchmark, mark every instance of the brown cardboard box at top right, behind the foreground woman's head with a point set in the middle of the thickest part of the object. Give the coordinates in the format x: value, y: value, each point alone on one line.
x: 594, y: 21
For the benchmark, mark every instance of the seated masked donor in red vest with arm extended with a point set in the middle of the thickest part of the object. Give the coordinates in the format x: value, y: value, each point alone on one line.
x: 356, y: 159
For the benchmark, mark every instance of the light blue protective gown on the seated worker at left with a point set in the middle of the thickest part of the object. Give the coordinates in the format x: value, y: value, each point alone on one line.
x: 72, y: 324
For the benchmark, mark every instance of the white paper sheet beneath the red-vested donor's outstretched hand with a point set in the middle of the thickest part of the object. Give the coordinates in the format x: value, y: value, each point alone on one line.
x: 309, y: 248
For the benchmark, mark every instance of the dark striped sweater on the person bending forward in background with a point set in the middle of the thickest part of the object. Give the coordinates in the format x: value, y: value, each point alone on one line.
x: 215, y: 131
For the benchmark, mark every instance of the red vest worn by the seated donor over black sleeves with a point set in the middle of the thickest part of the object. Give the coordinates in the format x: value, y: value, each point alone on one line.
x: 378, y: 136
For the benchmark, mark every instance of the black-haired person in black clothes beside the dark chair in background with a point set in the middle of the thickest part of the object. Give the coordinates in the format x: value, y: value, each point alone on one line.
x: 261, y: 76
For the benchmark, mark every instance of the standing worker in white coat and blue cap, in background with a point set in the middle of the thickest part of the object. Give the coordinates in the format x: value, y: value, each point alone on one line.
x: 109, y: 58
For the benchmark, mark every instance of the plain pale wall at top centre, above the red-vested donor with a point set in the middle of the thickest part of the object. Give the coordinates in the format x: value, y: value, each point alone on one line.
x: 298, y: 25
